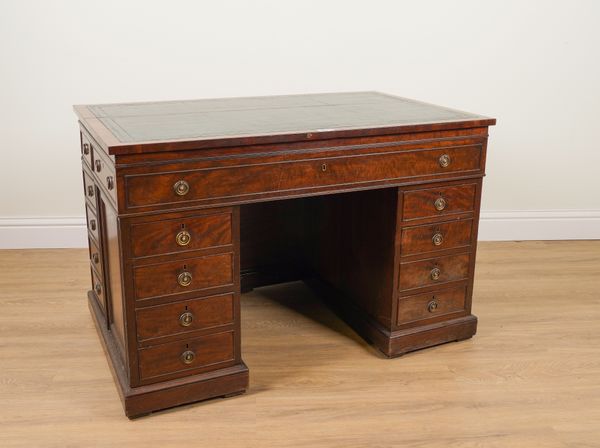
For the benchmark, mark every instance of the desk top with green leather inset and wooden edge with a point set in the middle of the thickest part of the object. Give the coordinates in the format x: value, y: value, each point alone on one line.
x: 134, y: 127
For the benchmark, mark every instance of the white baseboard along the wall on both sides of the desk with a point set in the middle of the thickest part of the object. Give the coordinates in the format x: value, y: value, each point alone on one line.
x: 510, y: 225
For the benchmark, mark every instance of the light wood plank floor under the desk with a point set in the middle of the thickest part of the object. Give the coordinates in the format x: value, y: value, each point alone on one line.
x: 529, y: 378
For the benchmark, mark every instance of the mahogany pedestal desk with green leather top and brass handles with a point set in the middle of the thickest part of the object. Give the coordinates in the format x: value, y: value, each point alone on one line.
x: 371, y: 197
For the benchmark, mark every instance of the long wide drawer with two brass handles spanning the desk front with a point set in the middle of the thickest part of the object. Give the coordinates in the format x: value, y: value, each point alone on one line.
x: 242, y: 180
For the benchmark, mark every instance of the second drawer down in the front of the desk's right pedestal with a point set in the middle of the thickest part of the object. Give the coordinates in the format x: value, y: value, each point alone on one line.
x: 434, y: 237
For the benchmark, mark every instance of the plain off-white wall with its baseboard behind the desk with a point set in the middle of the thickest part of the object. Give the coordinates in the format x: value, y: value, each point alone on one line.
x: 534, y: 65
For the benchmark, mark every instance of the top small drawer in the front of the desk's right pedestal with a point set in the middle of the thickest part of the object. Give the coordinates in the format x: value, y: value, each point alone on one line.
x: 439, y: 201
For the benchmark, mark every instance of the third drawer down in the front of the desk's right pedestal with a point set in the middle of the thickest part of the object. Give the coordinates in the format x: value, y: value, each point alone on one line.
x: 434, y: 271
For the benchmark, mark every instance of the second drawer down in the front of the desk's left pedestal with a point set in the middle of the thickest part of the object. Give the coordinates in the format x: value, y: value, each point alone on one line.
x: 185, y: 276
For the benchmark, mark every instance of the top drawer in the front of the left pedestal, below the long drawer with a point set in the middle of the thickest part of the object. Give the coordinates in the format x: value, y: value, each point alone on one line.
x: 181, y: 234
